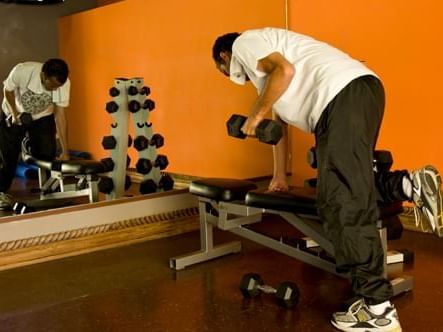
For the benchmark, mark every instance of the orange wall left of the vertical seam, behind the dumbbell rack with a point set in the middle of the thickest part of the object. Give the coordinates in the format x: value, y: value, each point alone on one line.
x: 169, y: 44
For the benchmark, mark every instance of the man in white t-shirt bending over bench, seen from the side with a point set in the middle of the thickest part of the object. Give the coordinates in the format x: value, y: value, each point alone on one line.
x: 322, y: 90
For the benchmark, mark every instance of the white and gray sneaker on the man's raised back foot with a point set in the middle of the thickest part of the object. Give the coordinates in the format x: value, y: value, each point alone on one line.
x: 427, y: 196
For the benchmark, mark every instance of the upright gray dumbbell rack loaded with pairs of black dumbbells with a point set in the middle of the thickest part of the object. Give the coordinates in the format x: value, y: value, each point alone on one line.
x: 129, y: 97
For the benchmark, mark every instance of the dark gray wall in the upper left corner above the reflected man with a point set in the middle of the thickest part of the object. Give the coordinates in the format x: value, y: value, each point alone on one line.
x: 29, y: 32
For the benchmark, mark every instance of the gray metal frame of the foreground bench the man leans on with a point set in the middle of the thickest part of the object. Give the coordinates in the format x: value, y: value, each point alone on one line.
x: 234, y: 216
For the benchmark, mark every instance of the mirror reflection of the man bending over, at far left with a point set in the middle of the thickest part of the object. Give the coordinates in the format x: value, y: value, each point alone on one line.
x: 39, y: 91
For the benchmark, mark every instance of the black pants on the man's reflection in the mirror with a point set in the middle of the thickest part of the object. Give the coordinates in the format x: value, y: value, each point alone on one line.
x: 42, y: 144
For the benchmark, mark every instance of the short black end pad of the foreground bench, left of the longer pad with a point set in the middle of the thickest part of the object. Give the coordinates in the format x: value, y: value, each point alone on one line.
x: 221, y: 189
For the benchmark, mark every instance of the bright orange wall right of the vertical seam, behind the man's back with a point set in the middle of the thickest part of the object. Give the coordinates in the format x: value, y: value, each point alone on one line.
x: 401, y: 41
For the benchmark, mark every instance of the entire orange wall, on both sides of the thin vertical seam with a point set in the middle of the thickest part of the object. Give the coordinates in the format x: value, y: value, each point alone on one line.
x: 171, y: 48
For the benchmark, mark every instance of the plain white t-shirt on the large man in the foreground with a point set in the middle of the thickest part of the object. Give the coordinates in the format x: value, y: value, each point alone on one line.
x: 321, y: 71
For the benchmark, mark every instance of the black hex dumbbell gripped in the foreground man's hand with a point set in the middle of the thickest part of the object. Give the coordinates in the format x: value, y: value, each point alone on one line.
x: 267, y: 131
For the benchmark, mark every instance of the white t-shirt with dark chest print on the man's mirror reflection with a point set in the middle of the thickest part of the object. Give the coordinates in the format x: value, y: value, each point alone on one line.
x: 30, y: 94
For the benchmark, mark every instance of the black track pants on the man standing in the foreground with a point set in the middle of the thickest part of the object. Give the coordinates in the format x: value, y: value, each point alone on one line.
x: 347, y: 196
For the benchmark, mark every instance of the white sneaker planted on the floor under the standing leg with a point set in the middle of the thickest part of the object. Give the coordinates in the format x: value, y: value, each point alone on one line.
x: 360, y: 318
